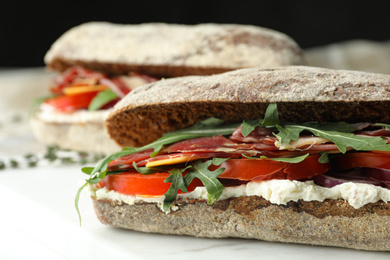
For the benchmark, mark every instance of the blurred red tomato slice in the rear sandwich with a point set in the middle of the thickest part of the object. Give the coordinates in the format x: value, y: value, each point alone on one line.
x: 72, y: 102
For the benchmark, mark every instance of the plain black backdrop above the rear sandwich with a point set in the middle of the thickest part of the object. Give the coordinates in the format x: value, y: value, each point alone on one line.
x: 27, y: 29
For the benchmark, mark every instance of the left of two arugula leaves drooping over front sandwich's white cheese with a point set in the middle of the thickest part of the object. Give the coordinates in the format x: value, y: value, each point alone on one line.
x: 177, y: 183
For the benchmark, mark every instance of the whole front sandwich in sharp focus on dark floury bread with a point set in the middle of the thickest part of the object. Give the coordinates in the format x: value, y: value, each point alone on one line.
x: 291, y: 154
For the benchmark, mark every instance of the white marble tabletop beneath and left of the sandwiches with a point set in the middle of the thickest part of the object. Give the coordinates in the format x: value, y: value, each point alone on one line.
x: 38, y: 219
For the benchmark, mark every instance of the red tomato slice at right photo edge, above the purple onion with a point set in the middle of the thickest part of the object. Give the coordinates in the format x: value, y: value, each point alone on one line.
x: 379, y: 160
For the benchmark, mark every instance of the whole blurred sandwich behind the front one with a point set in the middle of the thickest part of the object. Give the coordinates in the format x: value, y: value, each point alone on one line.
x: 100, y: 62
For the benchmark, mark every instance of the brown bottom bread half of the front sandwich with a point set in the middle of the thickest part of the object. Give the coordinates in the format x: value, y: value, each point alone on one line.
x: 327, y: 223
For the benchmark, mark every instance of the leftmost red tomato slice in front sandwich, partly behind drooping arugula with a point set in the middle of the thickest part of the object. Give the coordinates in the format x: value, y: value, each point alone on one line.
x: 132, y: 183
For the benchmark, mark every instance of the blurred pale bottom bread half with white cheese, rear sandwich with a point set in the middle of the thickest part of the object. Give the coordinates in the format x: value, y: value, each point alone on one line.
x: 84, y: 136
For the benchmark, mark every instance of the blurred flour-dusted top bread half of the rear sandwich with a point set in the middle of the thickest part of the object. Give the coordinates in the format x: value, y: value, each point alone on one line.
x: 171, y: 50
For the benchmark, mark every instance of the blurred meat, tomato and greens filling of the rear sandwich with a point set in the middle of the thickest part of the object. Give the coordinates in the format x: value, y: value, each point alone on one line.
x: 80, y: 89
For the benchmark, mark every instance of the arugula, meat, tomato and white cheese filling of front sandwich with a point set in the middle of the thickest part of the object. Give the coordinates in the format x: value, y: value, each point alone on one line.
x: 278, y: 161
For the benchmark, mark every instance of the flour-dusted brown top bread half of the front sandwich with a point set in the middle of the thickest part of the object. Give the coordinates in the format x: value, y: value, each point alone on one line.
x: 303, y: 94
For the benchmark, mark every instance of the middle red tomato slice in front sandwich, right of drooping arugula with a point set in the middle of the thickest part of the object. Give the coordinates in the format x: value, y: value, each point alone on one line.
x: 266, y: 169
